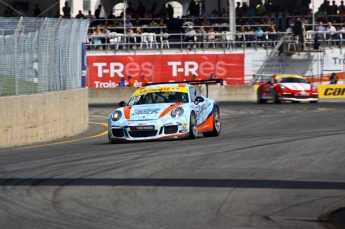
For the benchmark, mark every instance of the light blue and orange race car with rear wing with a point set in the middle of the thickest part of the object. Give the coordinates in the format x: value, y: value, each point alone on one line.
x: 165, y: 111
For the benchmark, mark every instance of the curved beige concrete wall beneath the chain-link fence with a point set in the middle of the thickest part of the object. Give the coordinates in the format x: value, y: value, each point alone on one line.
x: 45, y: 117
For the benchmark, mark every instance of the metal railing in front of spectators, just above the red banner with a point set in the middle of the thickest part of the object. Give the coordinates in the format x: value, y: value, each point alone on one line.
x: 226, y: 41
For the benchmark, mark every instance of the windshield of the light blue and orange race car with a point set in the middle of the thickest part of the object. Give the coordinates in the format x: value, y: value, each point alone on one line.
x: 158, y: 97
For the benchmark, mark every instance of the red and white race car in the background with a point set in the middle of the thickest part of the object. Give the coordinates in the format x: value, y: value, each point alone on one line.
x: 287, y: 88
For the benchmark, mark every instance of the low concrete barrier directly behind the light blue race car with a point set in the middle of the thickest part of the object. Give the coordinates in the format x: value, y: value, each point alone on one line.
x: 218, y: 93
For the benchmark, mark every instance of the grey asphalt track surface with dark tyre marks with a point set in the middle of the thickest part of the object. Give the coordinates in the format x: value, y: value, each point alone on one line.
x: 273, y: 166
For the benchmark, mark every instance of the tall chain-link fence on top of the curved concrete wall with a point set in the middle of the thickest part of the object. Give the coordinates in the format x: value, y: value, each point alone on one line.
x: 40, y: 54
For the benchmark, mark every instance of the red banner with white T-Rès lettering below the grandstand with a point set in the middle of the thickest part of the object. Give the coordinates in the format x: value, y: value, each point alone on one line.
x: 107, y: 71
